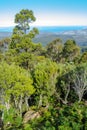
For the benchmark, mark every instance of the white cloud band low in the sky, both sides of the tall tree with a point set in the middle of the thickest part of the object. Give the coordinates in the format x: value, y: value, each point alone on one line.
x: 48, y: 20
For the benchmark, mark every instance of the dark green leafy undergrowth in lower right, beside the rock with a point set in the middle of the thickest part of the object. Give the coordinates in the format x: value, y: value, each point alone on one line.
x: 72, y: 117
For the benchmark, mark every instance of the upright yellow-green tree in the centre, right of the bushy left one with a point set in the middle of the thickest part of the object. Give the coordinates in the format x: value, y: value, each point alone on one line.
x: 45, y: 78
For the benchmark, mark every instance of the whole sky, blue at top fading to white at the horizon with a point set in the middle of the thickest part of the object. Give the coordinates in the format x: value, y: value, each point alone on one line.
x: 47, y: 12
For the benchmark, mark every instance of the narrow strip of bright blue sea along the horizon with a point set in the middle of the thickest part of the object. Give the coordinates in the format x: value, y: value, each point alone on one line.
x: 48, y: 29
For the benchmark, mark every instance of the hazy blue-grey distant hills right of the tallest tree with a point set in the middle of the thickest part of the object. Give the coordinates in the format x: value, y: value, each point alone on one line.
x: 79, y: 36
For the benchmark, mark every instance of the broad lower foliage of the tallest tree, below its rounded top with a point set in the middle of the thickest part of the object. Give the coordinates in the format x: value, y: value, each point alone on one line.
x: 23, y: 51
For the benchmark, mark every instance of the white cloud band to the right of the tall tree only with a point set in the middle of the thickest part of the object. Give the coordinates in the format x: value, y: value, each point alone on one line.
x: 61, y: 19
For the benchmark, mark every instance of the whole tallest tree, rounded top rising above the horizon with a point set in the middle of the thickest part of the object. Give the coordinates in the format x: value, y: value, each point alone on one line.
x: 22, y: 50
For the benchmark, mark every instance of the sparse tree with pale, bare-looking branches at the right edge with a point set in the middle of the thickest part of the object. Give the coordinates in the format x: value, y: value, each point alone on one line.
x: 79, y: 79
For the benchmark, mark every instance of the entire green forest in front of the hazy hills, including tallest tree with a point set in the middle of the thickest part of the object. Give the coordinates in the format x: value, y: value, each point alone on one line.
x: 41, y: 87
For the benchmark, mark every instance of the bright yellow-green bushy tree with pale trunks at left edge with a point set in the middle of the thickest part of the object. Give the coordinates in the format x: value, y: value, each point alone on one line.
x: 15, y: 86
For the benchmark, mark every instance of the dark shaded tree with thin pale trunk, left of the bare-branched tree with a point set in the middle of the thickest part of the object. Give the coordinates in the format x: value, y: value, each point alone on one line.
x: 64, y: 81
